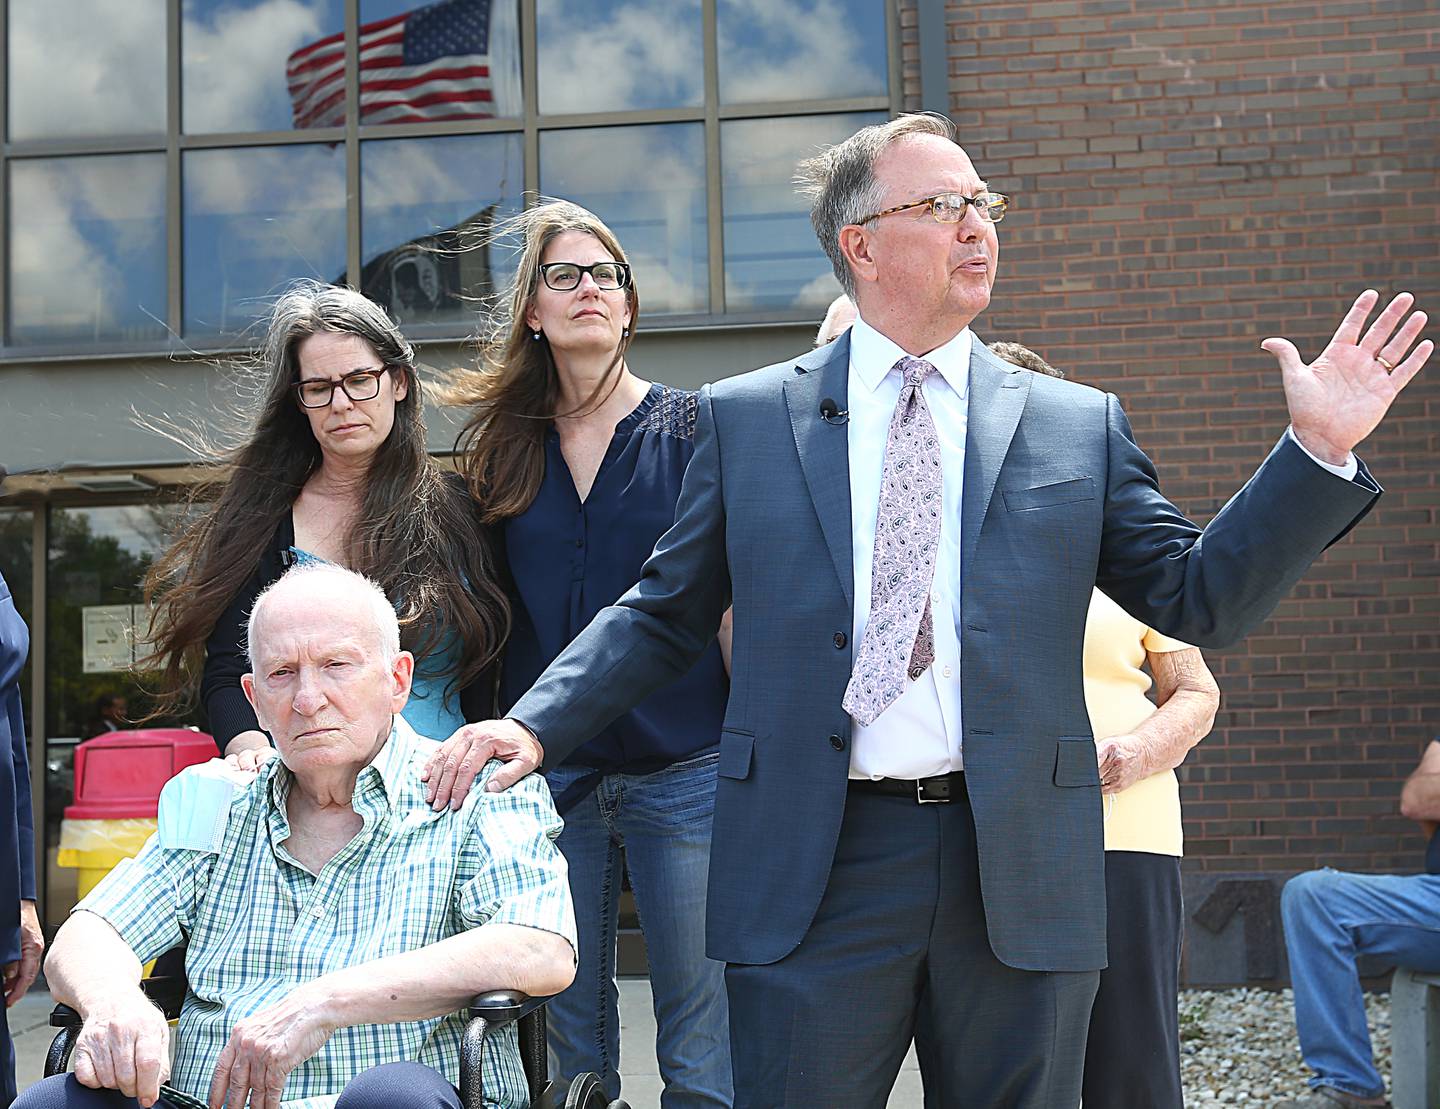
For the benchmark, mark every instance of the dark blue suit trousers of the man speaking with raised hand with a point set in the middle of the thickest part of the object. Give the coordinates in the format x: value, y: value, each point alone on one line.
x: 899, y: 953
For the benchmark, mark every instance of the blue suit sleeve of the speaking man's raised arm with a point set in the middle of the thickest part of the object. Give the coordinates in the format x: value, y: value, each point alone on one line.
x: 1212, y: 588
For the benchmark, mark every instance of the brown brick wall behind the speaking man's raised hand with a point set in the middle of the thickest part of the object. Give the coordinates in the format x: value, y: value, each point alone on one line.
x: 1192, y: 178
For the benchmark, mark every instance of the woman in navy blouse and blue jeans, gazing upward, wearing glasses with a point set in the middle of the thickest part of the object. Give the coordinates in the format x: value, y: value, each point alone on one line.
x: 581, y: 463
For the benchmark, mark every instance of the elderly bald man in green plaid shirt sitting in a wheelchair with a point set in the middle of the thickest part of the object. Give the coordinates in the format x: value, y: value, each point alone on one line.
x: 335, y: 925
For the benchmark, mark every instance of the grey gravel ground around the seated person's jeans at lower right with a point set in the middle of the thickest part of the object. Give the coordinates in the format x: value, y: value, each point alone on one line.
x: 1239, y: 1046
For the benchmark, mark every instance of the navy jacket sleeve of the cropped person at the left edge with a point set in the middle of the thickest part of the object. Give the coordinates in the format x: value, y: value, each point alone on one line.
x: 17, y: 826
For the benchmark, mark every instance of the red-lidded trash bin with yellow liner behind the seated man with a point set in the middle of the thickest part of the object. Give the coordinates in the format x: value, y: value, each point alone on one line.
x: 117, y: 791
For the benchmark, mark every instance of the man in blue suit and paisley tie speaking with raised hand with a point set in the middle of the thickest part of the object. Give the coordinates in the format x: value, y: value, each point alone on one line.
x: 908, y: 835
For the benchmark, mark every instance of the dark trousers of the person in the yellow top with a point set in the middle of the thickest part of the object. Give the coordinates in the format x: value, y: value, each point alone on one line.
x: 1133, y: 1058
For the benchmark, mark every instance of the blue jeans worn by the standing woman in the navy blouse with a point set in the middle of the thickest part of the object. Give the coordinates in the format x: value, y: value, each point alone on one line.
x: 663, y: 822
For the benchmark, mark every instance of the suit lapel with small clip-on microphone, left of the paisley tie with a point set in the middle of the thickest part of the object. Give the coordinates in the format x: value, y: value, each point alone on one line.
x: 824, y: 449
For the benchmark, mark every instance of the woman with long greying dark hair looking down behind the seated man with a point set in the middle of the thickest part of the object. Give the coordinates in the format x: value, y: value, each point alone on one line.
x: 333, y: 469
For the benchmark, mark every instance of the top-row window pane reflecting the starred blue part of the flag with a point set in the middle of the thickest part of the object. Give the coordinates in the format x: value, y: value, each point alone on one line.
x: 456, y: 60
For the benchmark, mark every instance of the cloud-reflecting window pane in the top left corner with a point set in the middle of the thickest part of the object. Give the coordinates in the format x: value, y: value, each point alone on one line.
x: 87, y: 68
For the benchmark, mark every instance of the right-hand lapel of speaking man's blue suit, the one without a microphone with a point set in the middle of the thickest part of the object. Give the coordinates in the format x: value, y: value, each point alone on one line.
x: 999, y: 394
